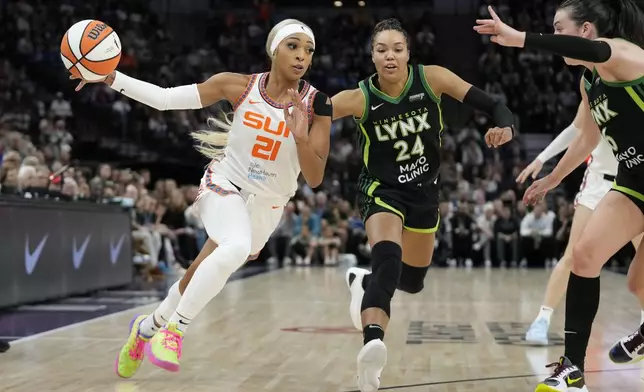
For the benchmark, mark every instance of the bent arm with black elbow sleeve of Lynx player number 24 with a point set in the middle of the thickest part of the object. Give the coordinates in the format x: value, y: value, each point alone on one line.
x: 443, y: 81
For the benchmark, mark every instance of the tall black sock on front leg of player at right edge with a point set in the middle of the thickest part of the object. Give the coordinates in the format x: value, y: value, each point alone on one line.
x: 582, y: 302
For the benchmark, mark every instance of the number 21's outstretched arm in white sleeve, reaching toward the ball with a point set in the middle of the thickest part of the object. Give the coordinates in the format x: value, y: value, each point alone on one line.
x: 225, y: 85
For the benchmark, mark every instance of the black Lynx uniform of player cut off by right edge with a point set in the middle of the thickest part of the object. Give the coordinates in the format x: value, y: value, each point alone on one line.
x: 618, y: 109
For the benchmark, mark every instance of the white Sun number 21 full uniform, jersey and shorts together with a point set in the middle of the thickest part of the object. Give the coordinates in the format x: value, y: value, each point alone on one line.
x: 260, y: 162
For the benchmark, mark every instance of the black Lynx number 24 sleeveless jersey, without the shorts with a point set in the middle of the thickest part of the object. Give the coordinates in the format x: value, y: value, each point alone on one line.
x: 400, y: 137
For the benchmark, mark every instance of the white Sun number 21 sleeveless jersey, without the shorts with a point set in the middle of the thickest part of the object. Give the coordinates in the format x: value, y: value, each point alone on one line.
x: 261, y: 155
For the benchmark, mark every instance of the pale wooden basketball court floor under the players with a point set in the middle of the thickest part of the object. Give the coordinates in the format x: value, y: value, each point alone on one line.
x: 289, y: 331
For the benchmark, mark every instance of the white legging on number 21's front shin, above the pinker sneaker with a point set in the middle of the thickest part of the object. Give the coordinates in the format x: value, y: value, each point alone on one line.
x: 208, y: 280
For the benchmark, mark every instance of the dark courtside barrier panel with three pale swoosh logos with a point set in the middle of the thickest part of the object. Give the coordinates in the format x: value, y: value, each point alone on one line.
x: 53, y: 250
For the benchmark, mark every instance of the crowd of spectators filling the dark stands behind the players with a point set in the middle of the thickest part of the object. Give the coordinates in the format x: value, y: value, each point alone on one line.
x: 483, y: 221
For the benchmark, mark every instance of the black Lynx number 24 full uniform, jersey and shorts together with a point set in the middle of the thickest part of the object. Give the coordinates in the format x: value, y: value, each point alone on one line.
x: 400, y: 140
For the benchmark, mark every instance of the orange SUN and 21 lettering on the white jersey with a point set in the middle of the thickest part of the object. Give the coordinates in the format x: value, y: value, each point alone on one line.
x: 266, y: 146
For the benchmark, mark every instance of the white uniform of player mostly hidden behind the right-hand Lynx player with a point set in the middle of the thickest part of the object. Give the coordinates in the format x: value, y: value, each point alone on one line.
x: 599, y: 176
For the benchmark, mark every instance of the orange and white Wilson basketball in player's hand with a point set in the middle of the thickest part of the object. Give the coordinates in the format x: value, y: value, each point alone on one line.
x: 90, y: 49
